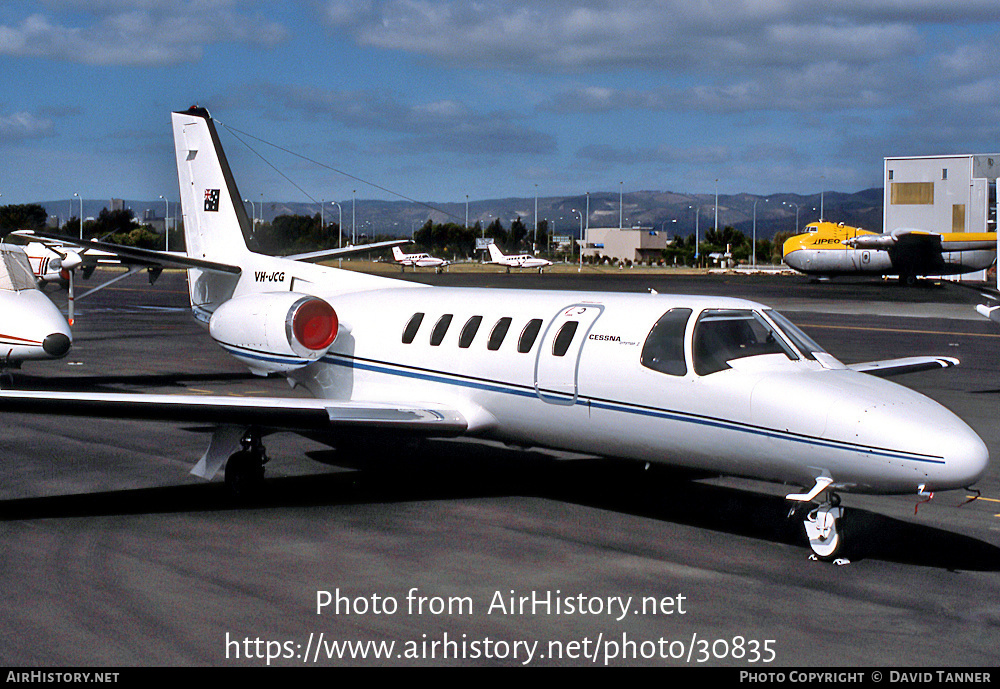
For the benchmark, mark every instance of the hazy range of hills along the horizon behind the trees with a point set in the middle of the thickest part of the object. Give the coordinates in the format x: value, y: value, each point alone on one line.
x: 671, y: 211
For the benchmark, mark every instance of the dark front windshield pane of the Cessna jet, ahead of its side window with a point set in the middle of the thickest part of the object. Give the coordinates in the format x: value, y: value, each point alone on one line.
x: 723, y: 335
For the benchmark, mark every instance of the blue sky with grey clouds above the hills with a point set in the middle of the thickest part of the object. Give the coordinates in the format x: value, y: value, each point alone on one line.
x: 493, y: 98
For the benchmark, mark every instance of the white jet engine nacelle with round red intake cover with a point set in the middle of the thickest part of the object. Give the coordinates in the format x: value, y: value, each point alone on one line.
x: 275, y: 331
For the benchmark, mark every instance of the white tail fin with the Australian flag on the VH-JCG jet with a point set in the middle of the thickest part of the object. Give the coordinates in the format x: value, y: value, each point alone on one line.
x: 215, y: 219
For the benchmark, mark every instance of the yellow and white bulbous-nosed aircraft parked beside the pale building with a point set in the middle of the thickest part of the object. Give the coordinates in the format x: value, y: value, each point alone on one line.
x: 829, y: 249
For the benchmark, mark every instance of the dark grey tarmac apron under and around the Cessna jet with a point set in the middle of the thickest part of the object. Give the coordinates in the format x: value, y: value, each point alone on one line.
x: 473, y: 553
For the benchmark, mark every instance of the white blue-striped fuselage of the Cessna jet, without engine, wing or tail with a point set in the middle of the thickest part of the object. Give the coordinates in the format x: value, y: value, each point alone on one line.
x: 771, y: 417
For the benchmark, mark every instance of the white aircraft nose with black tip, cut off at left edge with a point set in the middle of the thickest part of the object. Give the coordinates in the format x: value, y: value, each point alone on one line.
x: 31, y: 326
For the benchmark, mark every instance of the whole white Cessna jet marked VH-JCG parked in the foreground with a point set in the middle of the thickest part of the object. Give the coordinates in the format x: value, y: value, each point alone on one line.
x: 714, y: 384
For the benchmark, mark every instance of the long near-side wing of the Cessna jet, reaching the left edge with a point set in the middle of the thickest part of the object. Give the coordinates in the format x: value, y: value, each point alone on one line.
x: 274, y: 413
